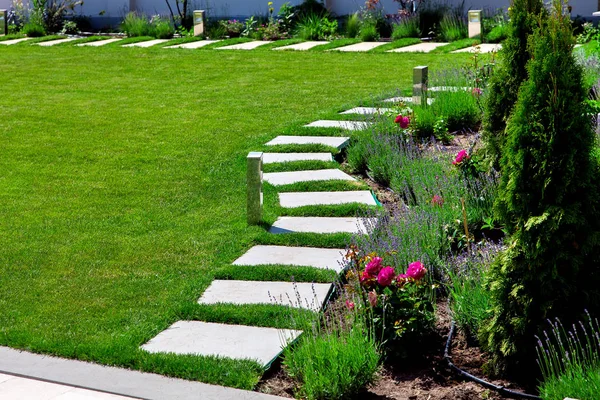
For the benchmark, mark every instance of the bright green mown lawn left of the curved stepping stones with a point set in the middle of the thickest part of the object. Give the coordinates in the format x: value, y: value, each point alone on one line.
x: 122, y: 185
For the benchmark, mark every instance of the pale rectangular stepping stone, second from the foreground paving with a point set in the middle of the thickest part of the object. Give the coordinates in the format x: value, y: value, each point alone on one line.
x: 309, y: 296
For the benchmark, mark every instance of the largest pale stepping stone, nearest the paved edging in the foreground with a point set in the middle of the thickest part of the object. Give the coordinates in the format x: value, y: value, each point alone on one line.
x: 211, y: 339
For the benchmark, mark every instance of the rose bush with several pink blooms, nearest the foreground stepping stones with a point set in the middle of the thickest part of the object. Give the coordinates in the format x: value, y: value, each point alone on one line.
x: 400, y: 304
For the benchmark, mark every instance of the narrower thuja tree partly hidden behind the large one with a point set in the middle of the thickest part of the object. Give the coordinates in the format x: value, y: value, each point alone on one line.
x: 511, y: 73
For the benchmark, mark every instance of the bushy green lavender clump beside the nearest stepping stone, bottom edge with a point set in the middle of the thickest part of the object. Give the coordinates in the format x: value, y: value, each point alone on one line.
x: 334, y: 361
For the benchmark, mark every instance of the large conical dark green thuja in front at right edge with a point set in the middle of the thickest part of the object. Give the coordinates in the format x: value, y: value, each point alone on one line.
x: 547, y: 201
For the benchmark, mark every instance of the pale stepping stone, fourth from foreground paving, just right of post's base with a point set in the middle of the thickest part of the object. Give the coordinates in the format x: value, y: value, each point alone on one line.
x: 320, y: 225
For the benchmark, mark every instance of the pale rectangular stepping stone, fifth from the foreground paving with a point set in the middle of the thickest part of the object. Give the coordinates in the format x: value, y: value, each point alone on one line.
x: 300, y: 199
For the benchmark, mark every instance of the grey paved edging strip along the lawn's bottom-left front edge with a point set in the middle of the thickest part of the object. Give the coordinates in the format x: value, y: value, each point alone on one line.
x: 115, y: 380
